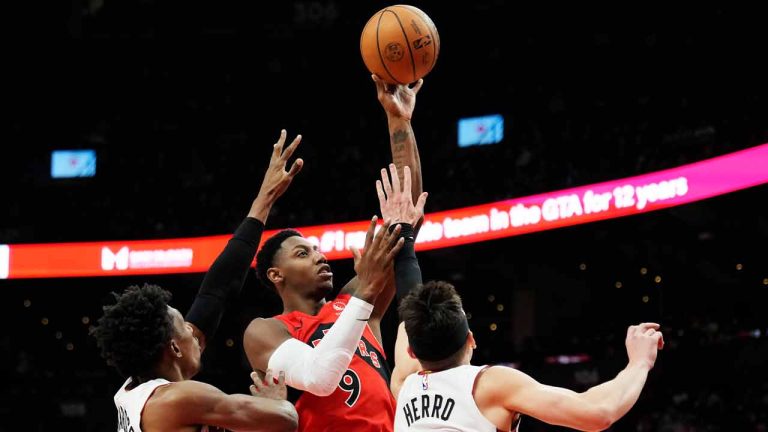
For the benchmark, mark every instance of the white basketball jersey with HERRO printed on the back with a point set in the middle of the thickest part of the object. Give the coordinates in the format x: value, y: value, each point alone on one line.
x: 441, y: 401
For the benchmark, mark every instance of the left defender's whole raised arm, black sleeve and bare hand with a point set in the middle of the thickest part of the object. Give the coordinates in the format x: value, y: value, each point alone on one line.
x: 224, y: 280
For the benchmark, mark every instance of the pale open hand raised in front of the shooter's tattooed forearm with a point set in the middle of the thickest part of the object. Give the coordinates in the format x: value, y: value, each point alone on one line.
x: 396, y: 203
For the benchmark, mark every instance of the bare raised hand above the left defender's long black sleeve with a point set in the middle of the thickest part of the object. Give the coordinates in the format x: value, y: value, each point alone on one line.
x: 277, y: 178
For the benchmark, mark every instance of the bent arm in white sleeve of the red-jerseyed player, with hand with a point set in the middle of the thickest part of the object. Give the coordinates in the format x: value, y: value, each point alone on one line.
x: 318, y: 370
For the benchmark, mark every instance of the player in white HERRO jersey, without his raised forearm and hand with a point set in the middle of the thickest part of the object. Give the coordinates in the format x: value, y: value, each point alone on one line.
x: 437, y: 388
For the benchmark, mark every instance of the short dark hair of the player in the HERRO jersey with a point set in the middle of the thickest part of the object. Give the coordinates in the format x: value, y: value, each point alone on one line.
x: 434, y: 321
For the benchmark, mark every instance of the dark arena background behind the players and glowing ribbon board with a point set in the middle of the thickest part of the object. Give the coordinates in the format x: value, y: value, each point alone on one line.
x: 182, y: 101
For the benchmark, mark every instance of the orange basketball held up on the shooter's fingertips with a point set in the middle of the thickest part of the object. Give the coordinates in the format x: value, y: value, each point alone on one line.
x: 400, y: 44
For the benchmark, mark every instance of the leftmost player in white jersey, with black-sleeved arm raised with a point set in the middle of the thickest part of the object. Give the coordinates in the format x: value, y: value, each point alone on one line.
x: 158, y: 350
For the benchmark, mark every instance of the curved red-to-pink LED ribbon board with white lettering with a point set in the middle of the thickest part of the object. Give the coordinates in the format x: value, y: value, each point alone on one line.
x: 607, y: 200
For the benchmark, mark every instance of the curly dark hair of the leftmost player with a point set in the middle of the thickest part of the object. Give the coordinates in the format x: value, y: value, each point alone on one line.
x: 134, y: 331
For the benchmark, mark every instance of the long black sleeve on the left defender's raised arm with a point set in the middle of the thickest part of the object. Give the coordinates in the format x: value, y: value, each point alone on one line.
x: 224, y: 280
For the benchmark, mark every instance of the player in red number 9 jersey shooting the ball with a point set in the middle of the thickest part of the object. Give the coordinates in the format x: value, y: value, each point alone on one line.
x: 332, y: 351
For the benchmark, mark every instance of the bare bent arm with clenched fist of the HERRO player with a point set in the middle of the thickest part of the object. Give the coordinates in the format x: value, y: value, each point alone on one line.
x: 594, y: 410
